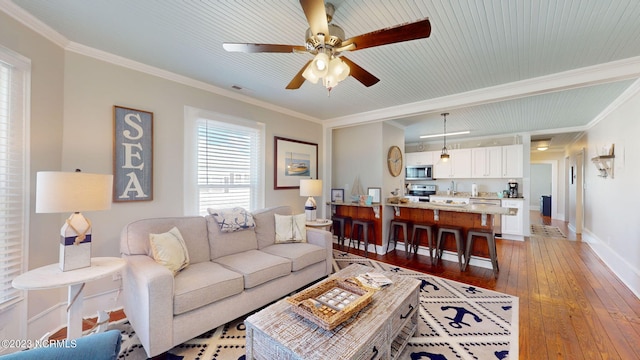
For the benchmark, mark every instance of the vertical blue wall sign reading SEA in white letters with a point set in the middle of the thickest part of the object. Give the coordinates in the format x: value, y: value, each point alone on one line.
x: 132, y: 155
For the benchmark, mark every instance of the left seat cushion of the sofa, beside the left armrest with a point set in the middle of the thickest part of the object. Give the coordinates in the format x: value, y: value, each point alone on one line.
x: 203, y: 283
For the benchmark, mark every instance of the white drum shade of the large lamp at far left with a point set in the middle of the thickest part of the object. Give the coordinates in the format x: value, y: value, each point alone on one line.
x: 72, y: 192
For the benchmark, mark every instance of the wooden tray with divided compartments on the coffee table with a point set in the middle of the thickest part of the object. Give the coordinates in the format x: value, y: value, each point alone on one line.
x: 331, y: 303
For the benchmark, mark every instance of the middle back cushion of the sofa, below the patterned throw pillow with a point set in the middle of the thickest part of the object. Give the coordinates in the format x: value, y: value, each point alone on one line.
x: 227, y: 243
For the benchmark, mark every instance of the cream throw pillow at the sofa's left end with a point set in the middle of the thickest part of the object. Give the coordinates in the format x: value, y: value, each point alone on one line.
x: 168, y: 249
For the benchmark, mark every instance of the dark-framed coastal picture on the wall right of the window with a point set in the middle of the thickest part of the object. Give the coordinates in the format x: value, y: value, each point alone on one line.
x: 294, y: 160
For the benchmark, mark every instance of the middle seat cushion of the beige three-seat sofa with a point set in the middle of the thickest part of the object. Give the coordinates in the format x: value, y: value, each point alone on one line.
x: 256, y: 266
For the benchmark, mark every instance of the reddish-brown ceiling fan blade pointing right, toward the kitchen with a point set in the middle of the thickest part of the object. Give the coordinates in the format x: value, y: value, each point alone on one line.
x: 405, y: 32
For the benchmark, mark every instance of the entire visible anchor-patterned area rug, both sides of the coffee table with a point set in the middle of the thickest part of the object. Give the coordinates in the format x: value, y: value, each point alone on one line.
x: 456, y: 321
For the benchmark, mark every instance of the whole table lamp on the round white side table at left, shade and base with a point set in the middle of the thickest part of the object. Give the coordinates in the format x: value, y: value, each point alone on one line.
x: 73, y: 192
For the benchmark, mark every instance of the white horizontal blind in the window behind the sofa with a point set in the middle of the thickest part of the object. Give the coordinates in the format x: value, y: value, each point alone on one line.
x: 229, y: 165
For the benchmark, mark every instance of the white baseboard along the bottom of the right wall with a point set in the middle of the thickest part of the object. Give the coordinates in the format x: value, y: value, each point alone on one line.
x: 626, y: 272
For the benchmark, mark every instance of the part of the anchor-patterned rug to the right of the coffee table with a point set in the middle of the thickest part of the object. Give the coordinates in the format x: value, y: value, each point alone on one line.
x: 456, y: 320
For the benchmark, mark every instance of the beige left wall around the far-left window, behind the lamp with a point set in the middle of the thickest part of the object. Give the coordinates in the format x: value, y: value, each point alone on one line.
x: 47, y: 92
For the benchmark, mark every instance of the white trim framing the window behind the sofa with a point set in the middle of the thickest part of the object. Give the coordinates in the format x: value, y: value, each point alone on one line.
x: 191, y: 191
